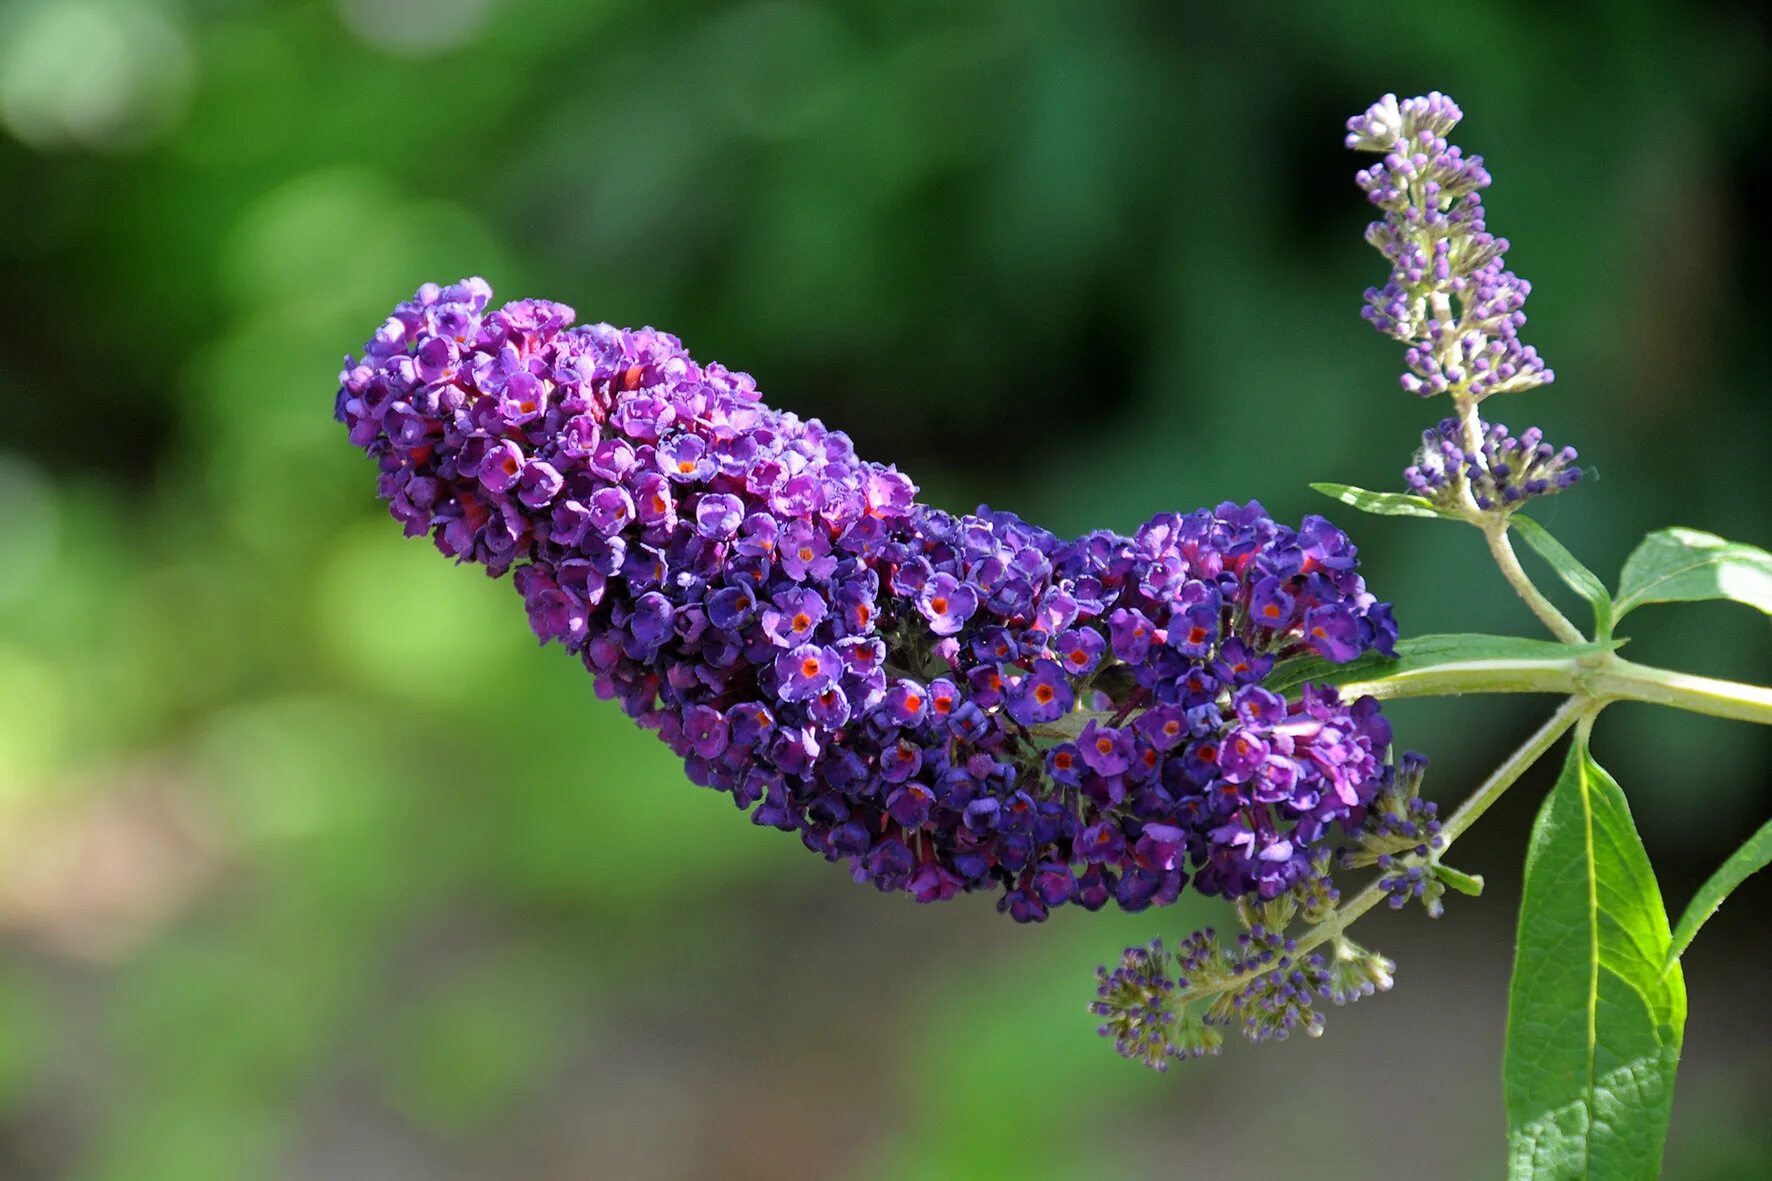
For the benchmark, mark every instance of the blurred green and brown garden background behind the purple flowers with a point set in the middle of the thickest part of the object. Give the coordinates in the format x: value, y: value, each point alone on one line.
x: 315, y: 866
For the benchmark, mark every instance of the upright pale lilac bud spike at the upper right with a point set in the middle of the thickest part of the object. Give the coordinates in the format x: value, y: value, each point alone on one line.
x: 1442, y: 256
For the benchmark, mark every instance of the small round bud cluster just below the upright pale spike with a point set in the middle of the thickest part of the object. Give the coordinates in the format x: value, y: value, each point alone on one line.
x: 1504, y: 476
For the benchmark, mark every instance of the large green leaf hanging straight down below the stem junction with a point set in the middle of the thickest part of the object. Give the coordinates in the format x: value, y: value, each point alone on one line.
x: 1594, y: 1022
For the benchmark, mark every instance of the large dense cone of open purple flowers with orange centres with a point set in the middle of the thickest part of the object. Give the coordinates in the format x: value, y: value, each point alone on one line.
x: 945, y: 703
